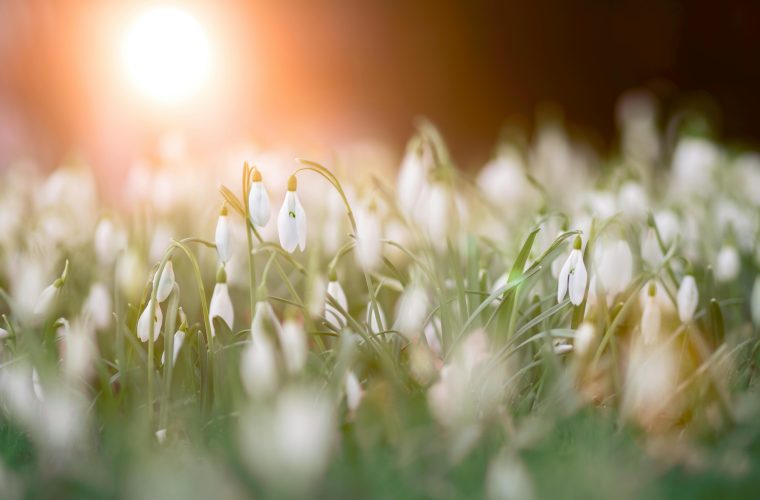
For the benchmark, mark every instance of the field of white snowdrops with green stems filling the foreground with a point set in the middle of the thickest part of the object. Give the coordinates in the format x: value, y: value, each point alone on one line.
x: 557, y: 324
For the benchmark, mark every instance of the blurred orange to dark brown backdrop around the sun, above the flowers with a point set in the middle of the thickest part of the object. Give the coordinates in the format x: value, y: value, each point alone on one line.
x: 334, y: 72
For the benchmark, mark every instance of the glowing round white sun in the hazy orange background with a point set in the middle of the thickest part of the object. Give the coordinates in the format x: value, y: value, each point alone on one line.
x: 166, y: 54
